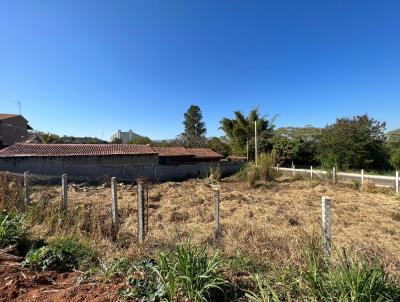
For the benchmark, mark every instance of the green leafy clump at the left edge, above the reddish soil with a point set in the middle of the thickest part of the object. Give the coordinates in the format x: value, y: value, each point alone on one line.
x: 11, y: 231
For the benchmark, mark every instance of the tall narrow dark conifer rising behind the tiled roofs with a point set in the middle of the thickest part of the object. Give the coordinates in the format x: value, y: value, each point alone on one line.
x: 195, y: 130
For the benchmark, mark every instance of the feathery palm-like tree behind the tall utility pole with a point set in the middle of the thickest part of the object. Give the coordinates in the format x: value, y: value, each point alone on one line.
x: 240, y: 129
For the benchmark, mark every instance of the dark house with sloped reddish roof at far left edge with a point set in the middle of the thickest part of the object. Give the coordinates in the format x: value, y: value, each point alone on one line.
x: 13, y: 128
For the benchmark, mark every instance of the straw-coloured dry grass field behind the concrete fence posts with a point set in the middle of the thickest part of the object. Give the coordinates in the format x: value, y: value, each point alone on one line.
x: 271, y: 223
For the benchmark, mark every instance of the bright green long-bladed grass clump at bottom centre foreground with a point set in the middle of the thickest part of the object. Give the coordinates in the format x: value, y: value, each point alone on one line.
x: 190, y: 270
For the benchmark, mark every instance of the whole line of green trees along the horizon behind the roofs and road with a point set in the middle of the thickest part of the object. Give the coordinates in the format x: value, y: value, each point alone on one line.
x: 358, y: 142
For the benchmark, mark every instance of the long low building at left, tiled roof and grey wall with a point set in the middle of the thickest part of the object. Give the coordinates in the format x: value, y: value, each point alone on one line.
x: 90, y: 160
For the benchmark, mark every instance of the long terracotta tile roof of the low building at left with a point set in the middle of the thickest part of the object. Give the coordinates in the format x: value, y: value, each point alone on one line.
x: 58, y: 150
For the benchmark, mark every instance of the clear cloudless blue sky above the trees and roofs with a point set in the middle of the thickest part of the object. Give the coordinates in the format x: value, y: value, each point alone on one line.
x: 91, y: 67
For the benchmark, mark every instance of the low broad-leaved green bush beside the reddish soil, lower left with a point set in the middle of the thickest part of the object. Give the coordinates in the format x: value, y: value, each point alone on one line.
x: 63, y: 254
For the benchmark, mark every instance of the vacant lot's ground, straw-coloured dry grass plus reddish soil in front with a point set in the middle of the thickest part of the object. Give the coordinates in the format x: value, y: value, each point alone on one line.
x: 271, y: 226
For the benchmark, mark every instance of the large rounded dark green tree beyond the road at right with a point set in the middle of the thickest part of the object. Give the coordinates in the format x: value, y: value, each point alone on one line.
x: 356, y: 142
